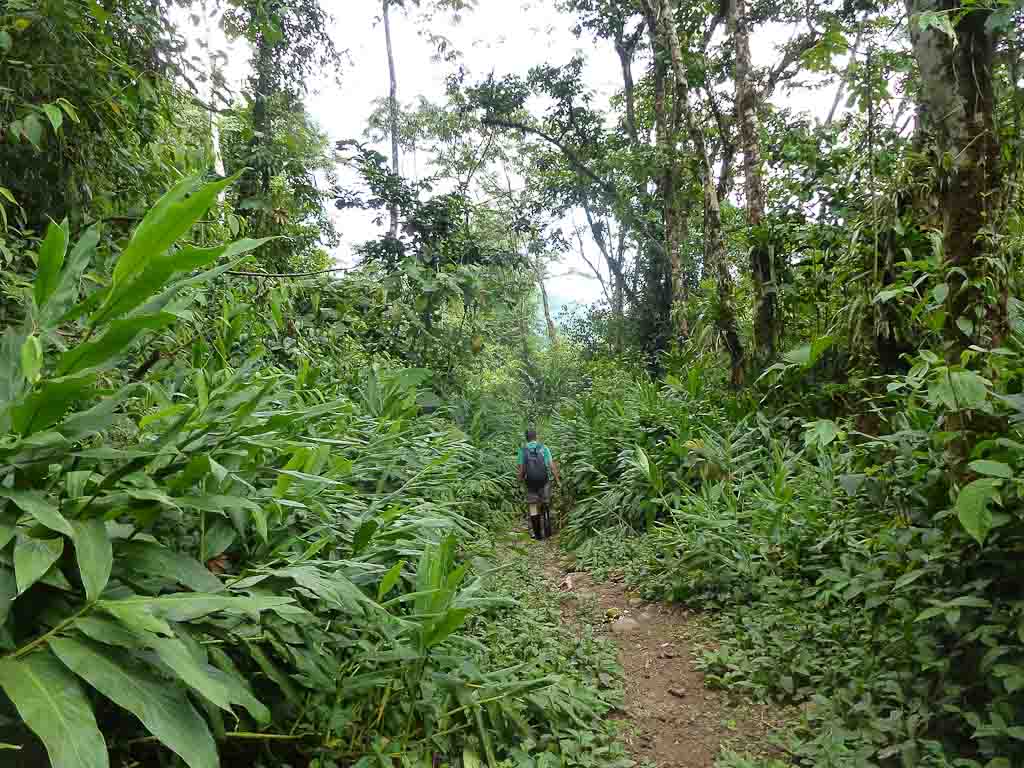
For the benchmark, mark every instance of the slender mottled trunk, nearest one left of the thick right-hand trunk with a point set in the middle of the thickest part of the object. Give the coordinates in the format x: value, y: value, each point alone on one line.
x: 762, y: 259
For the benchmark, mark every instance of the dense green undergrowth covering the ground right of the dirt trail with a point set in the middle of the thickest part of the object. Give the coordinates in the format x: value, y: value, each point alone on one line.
x: 844, y: 577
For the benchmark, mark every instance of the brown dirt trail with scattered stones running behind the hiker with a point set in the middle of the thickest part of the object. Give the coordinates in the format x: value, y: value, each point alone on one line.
x: 677, y: 723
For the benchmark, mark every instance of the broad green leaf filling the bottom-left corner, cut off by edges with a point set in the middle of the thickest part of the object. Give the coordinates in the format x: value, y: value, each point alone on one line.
x: 52, y: 703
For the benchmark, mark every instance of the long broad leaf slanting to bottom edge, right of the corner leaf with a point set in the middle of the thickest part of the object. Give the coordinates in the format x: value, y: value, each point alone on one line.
x: 163, y: 709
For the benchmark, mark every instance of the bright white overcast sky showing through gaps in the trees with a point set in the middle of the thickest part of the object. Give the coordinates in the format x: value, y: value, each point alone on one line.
x: 504, y: 36
